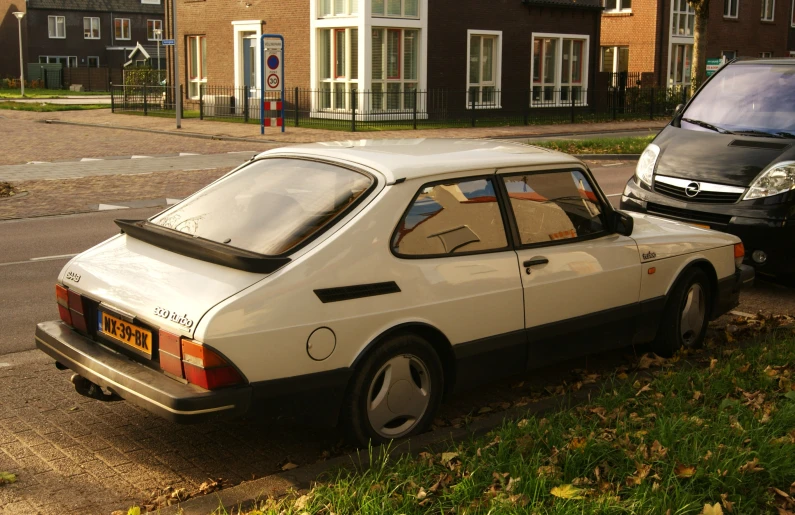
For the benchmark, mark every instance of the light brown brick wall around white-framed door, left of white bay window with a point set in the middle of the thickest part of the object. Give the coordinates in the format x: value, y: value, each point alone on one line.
x: 213, y: 18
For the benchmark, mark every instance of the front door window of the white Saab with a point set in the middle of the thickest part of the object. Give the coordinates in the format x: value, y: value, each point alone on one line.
x: 554, y: 206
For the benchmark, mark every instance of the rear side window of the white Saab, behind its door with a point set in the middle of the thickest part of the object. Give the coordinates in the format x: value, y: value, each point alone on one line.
x: 455, y: 217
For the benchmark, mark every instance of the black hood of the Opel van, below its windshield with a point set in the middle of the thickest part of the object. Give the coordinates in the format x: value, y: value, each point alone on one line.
x: 720, y: 158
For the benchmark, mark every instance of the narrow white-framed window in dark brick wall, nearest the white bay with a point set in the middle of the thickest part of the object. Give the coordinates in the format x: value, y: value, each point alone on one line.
x: 483, y: 73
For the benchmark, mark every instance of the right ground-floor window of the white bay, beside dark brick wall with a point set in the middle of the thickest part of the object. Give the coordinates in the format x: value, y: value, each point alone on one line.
x: 395, y: 68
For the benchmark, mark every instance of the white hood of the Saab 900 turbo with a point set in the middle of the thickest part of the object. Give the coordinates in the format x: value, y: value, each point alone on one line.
x: 660, y: 238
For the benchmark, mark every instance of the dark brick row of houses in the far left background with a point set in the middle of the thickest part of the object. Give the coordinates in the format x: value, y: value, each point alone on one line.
x: 77, y: 33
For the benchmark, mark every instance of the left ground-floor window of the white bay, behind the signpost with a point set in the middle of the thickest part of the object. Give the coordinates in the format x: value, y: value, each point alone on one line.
x: 338, y: 66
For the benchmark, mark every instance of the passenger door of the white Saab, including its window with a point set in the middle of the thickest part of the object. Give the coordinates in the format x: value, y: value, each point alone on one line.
x: 581, y: 282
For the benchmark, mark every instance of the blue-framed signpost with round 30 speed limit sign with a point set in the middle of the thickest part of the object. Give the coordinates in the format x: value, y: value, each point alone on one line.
x: 272, y: 81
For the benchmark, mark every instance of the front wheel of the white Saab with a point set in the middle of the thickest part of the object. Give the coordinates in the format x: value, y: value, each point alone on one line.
x: 684, y: 321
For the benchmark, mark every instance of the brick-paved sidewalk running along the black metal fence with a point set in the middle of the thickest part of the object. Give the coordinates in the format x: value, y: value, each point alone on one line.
x: 251, y: 132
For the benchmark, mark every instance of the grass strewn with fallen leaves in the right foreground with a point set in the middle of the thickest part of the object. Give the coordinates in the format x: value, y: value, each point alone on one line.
x: 715, y: 438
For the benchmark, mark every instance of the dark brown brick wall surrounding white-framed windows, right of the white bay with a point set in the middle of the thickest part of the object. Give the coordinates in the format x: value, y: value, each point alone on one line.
x: 447, y: 38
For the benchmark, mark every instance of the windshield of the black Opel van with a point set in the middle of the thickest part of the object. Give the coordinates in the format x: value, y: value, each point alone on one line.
x: 755, y: 99
